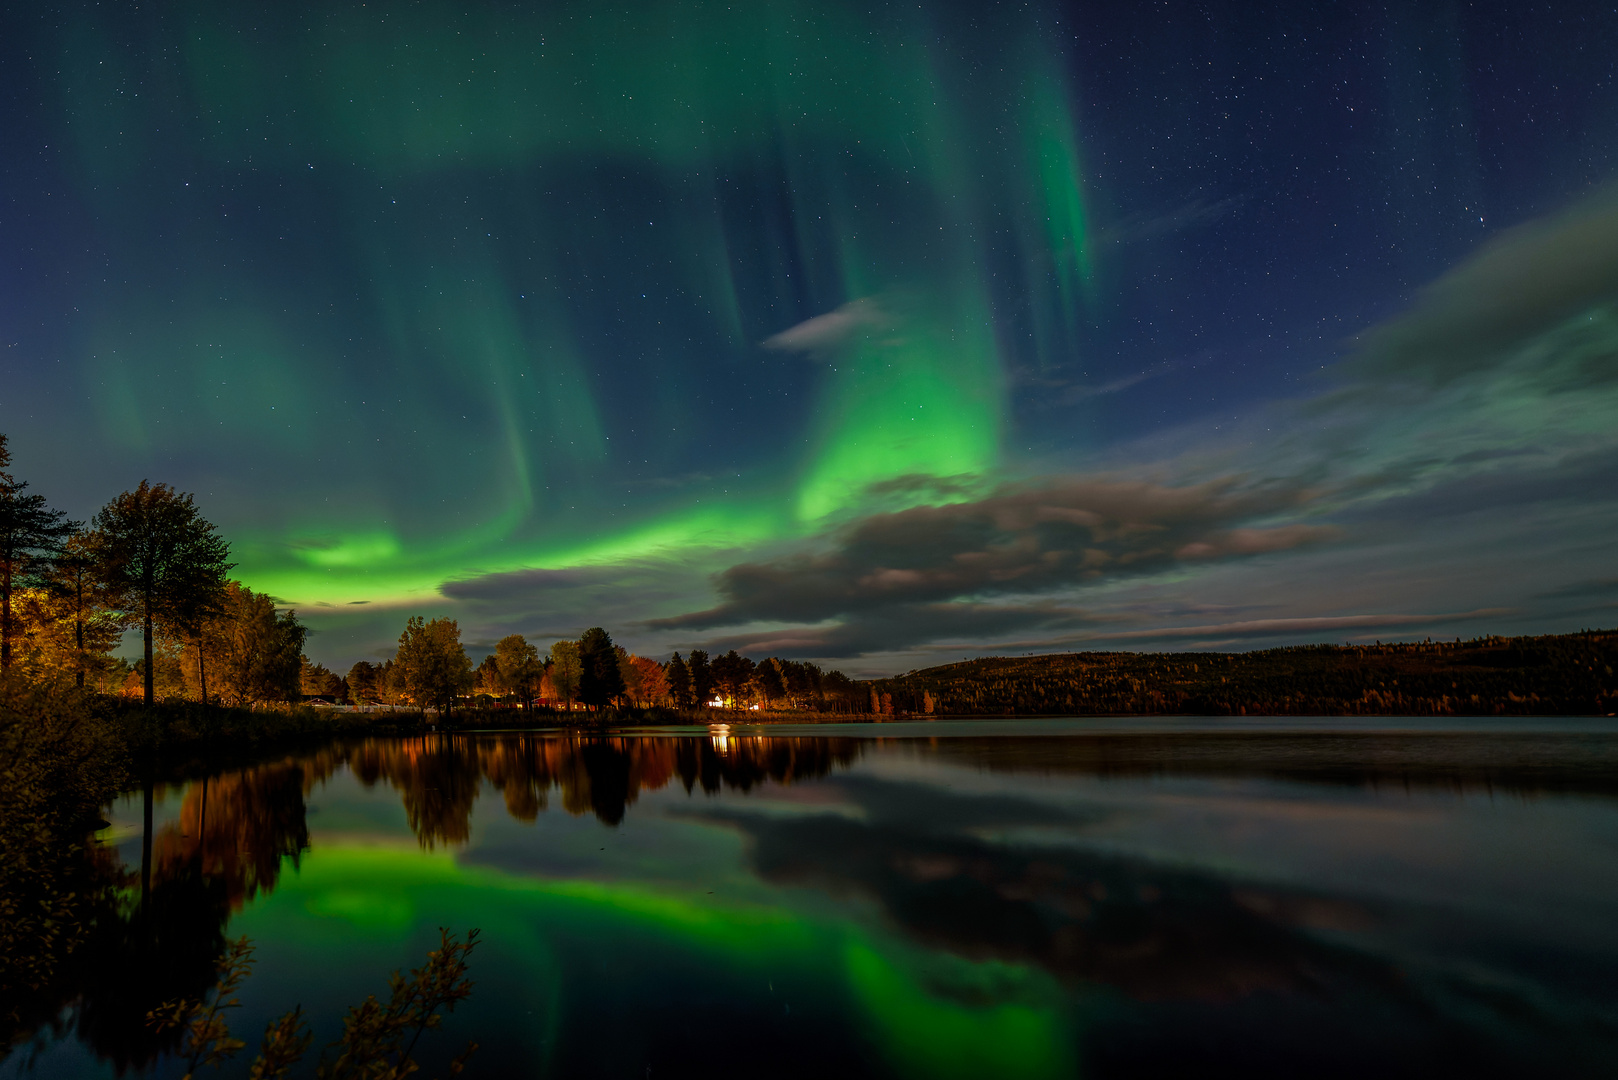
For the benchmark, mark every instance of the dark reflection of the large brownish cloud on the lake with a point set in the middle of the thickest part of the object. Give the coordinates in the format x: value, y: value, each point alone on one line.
x: 921, y: 856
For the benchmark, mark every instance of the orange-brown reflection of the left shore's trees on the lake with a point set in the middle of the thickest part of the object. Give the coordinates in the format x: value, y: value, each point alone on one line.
x: 161, y: 927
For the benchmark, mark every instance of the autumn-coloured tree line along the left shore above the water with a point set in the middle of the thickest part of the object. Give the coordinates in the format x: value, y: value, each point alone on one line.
x: 150, y: 561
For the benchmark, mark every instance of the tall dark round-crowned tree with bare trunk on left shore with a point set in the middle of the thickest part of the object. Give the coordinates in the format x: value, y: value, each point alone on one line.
x: 159, y: 556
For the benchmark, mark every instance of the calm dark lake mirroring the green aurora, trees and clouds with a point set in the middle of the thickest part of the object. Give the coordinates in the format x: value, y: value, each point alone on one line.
x: 1101, y: 898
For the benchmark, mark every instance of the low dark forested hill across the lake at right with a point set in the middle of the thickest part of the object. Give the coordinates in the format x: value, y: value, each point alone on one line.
x: 1549, y: 676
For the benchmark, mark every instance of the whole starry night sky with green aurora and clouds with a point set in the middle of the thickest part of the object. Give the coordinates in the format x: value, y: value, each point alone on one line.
x: 876, y: 334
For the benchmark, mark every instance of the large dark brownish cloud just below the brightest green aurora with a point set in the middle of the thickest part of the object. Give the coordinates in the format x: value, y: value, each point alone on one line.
x: 907, y: 571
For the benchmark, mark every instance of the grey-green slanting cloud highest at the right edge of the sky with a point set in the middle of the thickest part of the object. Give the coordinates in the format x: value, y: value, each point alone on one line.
x: 1533, y: 281
